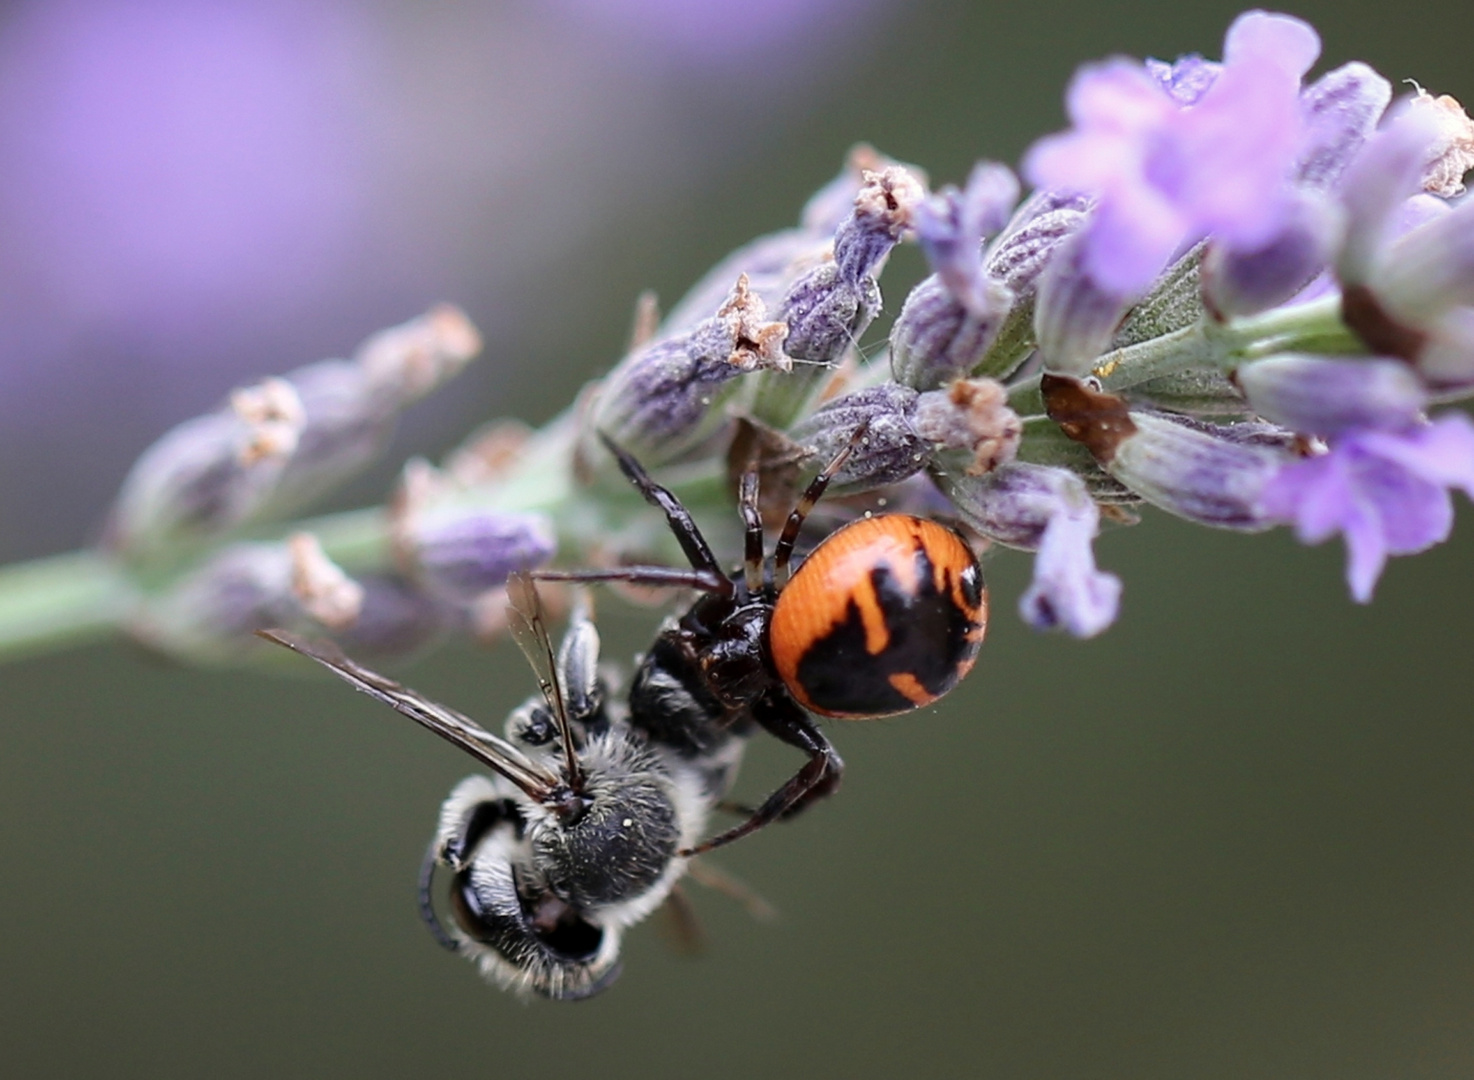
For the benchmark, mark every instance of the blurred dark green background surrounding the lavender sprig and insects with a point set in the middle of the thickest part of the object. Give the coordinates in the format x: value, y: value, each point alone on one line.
x: 1233, y: 838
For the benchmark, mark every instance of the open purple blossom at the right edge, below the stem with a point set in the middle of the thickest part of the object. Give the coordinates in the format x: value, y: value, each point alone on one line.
x: 1388, y: 494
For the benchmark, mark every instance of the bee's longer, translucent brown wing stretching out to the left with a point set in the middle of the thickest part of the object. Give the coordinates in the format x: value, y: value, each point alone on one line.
x: 453, y: 727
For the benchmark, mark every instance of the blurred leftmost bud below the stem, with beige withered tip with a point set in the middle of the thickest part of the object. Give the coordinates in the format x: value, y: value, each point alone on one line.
x: 212, y: 615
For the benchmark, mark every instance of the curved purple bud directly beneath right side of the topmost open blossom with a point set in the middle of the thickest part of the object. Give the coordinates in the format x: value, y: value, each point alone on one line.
x: 1239, y: 282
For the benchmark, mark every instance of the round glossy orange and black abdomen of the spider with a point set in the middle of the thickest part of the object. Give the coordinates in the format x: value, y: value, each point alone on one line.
x: 887, y: 615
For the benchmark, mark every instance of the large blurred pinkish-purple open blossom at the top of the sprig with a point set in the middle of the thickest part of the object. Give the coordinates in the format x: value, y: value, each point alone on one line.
x: 1167, y: 175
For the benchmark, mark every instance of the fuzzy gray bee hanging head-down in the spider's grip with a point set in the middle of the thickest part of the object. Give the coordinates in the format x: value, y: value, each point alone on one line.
x: 581, y: 830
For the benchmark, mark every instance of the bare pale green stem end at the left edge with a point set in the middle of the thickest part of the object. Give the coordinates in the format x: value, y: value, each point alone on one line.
x: 55, y: 603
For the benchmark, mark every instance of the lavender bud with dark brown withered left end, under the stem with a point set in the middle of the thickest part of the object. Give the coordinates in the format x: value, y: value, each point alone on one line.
x: 1211, y: 475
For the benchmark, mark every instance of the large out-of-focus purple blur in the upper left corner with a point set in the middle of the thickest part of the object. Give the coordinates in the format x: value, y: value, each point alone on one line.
x: 160, y: 152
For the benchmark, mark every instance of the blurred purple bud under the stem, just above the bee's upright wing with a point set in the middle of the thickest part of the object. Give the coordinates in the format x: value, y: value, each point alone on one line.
x: 455, y: 546
